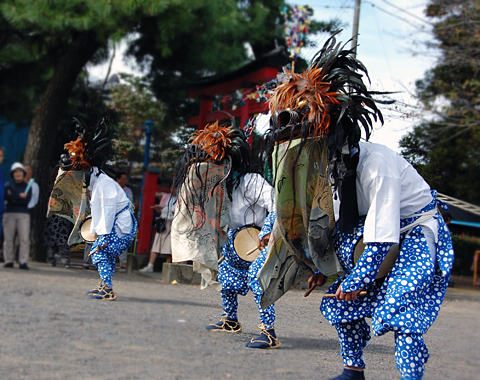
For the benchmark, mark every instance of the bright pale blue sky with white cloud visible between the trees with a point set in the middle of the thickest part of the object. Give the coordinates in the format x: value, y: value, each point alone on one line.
x: 389, y: 45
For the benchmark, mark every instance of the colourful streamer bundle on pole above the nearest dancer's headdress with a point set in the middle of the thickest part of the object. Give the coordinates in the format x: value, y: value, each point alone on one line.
x: 297, y: 21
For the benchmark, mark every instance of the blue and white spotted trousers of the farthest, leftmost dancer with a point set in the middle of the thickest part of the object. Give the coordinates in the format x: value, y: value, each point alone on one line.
x: 115, y: 246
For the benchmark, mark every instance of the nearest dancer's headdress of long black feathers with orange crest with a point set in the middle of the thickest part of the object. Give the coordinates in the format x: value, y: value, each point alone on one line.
x: 328, y: 101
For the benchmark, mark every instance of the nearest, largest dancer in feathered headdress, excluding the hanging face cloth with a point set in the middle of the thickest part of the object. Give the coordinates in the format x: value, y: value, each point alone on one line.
x: 383, y: 201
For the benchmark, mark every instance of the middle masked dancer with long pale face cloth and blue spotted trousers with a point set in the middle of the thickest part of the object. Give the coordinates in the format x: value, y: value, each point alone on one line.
x: 219, y: 197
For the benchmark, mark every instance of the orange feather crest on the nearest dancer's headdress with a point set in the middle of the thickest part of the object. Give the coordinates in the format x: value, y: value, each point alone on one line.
x: 306, y: 92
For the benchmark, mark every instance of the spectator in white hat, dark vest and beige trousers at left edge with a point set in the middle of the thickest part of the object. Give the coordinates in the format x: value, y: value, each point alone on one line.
x: 16, y: 218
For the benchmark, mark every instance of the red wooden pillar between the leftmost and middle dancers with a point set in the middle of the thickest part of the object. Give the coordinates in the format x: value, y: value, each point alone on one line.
x: 145, y: 227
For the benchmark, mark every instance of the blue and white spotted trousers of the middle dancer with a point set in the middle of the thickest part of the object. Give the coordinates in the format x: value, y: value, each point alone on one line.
x: 238, y: 277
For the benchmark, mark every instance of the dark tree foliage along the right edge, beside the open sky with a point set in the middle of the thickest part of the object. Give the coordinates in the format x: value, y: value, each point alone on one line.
x: 445, y: 148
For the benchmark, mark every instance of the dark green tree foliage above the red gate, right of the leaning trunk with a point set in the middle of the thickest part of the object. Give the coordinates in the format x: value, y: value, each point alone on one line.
x: 189, y: 42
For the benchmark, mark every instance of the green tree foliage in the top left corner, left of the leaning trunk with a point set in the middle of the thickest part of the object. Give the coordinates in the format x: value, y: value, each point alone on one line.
x: 35, y: 34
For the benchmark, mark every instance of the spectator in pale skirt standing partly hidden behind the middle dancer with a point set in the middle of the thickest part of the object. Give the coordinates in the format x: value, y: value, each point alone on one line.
x: 162, y: 241
